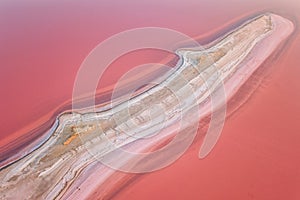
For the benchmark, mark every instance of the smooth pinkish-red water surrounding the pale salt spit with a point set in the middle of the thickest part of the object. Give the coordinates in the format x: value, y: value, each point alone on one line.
x: 42, y: 45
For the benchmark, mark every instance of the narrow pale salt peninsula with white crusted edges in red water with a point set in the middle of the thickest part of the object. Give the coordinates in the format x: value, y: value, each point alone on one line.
x: 65, y: 160
